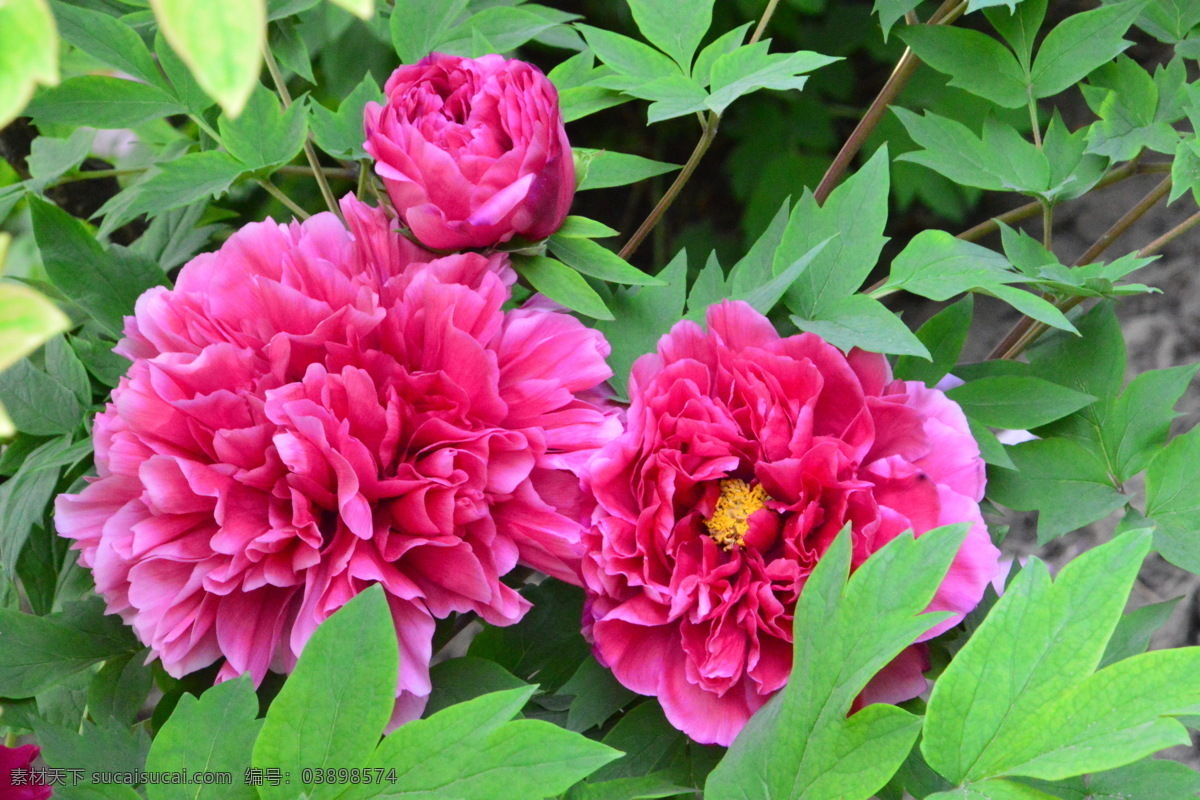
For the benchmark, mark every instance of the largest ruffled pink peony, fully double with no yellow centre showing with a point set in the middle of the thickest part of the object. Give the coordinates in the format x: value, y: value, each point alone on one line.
x: 314, y: 411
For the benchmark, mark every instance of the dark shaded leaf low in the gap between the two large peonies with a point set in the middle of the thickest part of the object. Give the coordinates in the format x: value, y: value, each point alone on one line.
x: 545, y: 647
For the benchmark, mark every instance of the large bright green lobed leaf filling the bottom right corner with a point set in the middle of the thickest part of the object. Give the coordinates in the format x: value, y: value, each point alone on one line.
x: 1022, y: 699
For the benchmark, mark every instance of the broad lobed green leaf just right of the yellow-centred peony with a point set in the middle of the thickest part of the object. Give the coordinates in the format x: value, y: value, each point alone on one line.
x: 1067, y: 484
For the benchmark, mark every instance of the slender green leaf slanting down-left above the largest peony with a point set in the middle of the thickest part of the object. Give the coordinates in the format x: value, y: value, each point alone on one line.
x: 179, y: 183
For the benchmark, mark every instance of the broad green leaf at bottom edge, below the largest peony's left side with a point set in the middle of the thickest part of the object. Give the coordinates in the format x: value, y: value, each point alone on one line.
x: 213, y: 735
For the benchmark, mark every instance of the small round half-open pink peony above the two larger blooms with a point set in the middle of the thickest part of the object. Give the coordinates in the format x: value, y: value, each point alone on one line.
x: 473, y: 152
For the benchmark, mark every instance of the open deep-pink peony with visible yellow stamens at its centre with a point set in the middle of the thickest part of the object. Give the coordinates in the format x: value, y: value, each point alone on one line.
x: 745, y: 455
